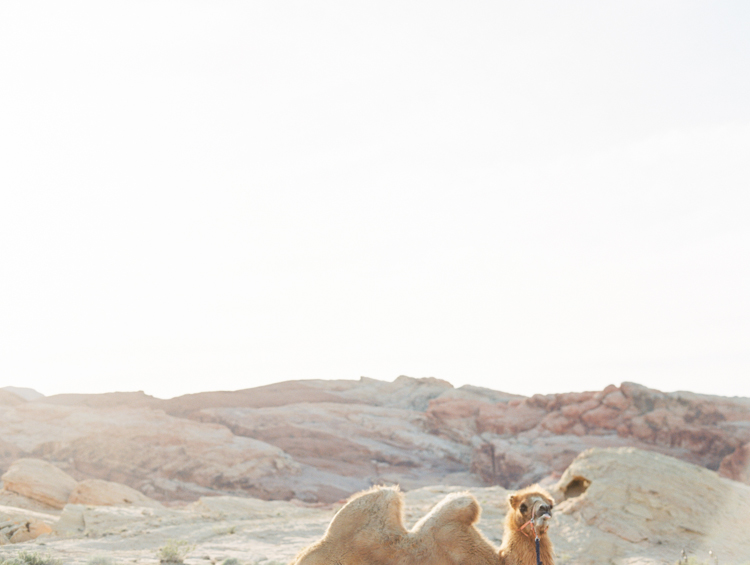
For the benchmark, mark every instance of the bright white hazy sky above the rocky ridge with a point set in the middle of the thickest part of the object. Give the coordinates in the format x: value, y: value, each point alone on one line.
x: 527, y: 196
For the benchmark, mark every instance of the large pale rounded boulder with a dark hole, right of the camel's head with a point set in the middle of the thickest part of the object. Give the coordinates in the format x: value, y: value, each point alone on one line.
x: 635, y: 498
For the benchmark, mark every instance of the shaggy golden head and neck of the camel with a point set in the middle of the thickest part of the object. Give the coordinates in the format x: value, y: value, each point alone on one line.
x: 518, y: 548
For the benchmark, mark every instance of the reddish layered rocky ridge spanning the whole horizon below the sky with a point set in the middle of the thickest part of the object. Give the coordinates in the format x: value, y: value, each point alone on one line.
x: 320, y: 441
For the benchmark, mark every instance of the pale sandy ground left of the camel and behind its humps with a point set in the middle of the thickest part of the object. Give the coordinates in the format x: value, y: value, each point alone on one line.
x: 252, y: 531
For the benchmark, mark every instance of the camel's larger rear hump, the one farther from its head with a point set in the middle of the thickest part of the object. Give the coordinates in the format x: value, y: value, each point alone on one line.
x: 378, y: 510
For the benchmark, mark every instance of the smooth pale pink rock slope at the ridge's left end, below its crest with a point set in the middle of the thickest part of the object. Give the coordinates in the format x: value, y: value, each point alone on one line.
x: 160, y: 455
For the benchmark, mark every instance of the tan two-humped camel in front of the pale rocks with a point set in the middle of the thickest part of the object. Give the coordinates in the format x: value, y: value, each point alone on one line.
x: 369, y: 530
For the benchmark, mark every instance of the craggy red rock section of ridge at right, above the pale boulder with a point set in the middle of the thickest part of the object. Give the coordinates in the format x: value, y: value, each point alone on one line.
x: 523, y: 441
